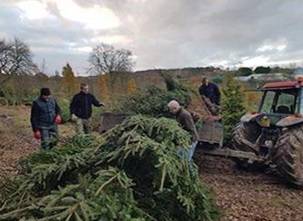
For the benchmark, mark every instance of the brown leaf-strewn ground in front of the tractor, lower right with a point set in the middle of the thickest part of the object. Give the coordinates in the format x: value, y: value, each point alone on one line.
x: 250, y: 195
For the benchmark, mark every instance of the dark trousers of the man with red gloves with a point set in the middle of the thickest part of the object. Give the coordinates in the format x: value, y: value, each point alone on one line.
x: 49, y: 137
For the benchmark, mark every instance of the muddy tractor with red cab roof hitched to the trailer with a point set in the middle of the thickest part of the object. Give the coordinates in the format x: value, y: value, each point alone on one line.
x: 274, y: 135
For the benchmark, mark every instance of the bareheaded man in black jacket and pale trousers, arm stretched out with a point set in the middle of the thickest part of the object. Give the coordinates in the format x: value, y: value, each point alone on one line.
x: 81, y: 109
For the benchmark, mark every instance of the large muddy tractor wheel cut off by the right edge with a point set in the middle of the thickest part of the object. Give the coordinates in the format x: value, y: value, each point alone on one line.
x: 288, y: 155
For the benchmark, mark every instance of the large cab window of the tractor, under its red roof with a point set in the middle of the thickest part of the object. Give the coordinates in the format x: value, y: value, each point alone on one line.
x: 280, y: 102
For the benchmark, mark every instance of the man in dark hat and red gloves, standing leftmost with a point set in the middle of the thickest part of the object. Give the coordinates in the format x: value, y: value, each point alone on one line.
x: 45, y: 115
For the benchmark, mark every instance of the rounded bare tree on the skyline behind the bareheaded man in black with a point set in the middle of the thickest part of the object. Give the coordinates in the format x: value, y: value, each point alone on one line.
x: 106, y: 59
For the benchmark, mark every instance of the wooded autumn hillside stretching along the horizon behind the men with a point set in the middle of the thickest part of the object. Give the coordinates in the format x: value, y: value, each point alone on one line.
x: 112, y: 87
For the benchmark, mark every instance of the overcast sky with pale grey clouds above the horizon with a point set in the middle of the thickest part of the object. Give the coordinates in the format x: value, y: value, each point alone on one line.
x: 160, y: 33
